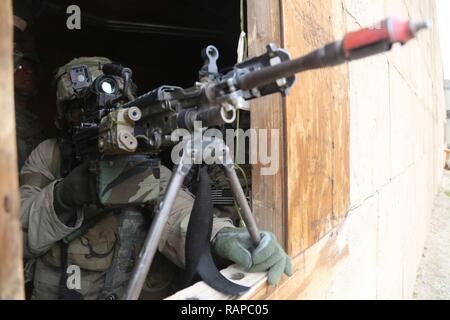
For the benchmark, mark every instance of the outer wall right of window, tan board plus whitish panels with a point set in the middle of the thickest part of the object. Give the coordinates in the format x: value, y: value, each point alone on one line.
x: 359, y: 237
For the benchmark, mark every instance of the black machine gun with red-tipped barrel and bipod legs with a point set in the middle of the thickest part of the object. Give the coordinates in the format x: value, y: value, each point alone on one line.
x: 144, y: 125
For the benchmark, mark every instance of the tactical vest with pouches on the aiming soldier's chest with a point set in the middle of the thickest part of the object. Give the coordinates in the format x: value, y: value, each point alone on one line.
x: 109, y: 247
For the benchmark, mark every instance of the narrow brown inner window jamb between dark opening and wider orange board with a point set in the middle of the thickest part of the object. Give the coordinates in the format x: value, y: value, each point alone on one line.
x: 268, y: 192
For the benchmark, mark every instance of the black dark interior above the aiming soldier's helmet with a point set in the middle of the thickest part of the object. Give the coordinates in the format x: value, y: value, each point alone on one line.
x: 160, y: 40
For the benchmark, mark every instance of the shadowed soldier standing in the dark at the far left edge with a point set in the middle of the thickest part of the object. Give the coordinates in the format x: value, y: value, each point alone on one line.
x: 28, y: 131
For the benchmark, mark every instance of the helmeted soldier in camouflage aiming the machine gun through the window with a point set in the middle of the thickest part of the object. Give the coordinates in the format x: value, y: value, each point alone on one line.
x: 53, y: 208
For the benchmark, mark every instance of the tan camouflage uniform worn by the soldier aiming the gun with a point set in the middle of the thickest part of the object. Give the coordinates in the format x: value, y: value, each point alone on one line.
x: 43, y: 230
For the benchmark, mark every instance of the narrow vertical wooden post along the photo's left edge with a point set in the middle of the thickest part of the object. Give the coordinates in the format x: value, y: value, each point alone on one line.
x: 11, y: 270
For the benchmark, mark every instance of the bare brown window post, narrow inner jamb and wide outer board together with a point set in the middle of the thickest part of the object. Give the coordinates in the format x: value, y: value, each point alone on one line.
x: 309, y: 196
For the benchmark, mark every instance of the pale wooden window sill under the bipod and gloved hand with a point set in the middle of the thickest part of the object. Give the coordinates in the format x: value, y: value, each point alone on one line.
x: 314, y: 272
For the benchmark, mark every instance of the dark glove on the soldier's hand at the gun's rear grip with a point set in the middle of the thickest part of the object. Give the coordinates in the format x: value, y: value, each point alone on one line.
x: 73, y: 191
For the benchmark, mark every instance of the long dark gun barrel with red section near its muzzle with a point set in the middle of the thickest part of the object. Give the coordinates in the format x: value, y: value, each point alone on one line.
x: 355, y: 45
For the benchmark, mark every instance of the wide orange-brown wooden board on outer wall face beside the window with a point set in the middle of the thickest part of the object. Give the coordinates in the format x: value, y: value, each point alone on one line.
x: 316, y: 130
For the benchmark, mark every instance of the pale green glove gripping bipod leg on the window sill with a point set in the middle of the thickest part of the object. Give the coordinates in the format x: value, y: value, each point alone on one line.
x: 236, y: 245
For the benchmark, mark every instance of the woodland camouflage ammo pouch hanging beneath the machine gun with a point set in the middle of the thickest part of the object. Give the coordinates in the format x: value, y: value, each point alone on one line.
x: 128, y: 180
